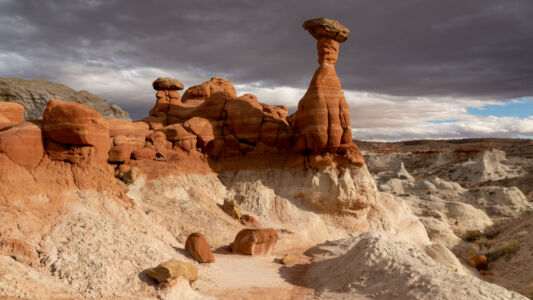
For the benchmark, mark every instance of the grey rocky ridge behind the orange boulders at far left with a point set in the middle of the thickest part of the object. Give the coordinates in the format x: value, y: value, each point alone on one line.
x: 34, y: 95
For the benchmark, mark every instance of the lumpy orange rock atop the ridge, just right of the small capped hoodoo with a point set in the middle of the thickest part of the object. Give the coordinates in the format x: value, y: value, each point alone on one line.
x: 205, y: 90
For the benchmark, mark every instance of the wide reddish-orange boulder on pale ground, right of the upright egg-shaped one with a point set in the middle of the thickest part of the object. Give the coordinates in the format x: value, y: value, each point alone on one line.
x: 255, y: 241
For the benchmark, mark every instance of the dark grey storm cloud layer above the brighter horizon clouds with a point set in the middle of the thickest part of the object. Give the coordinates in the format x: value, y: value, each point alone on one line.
x: 476, y: 48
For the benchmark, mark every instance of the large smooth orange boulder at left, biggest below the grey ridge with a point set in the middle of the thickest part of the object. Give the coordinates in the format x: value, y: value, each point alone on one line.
x: 76, y: 124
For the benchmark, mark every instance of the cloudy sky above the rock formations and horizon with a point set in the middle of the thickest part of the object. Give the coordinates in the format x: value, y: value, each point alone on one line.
x: 410, y: 69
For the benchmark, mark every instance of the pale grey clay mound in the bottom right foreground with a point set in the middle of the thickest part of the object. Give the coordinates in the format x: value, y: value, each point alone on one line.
x: 382, y: 267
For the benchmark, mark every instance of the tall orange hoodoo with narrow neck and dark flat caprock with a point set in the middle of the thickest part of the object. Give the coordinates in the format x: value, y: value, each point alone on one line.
x: 323, y: 117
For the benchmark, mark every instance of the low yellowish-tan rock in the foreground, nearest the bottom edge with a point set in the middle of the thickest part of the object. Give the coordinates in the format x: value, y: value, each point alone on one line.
x: 173, y: 269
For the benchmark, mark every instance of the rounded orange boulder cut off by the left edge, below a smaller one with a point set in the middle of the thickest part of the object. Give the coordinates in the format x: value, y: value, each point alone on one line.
x: 23, y: 143
